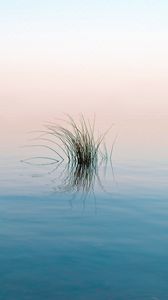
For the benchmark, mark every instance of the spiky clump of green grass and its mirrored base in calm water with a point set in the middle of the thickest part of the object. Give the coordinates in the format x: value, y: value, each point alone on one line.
x: 75, y: 144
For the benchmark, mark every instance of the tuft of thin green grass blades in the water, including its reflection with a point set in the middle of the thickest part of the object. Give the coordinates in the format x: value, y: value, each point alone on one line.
x: 75, y: 154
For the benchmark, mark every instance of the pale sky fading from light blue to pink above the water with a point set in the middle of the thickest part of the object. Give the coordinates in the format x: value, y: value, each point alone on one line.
x: 102, y: 57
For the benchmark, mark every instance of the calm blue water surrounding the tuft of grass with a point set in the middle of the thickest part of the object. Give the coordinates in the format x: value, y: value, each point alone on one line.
x: 111, y: 245
